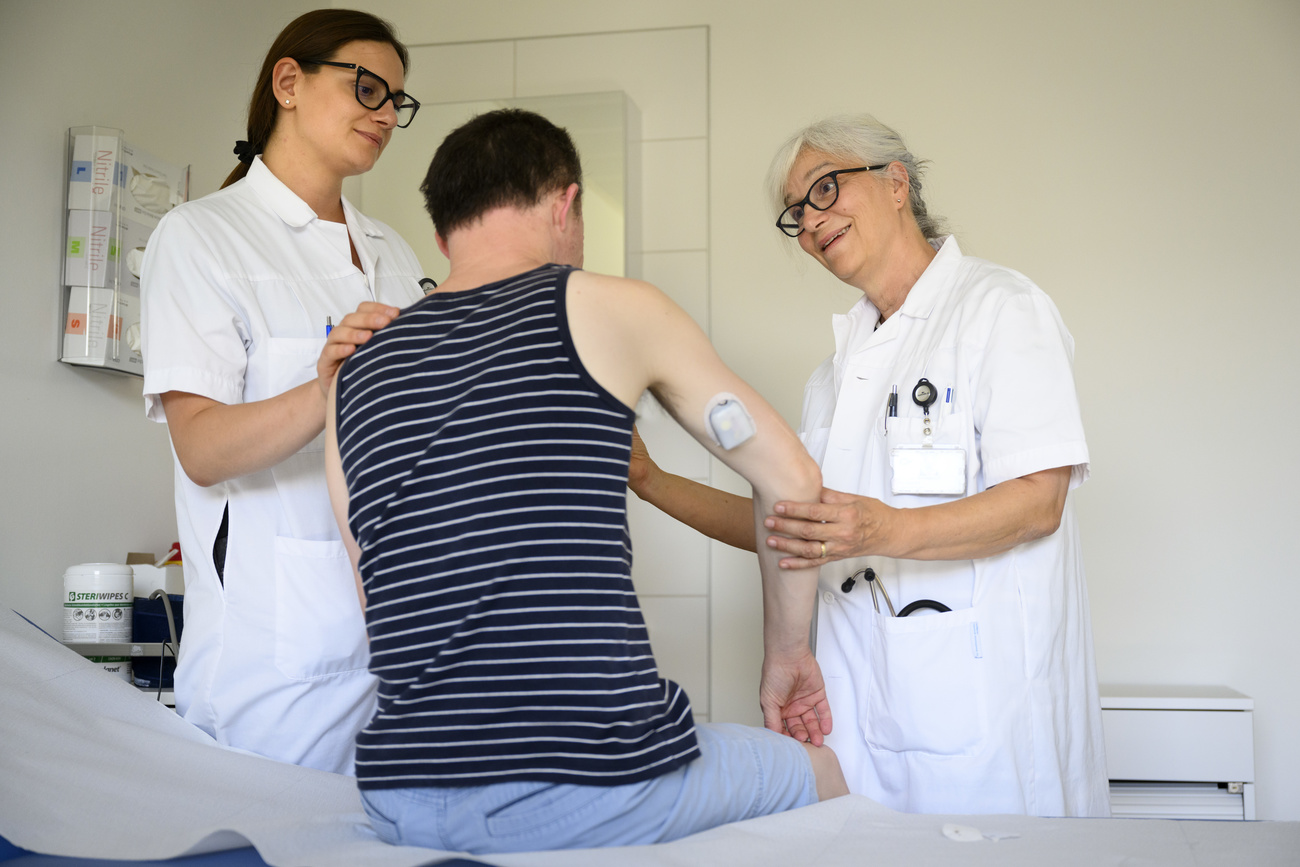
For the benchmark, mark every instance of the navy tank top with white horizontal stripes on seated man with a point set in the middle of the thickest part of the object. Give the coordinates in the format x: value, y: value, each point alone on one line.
x: 488, y: 479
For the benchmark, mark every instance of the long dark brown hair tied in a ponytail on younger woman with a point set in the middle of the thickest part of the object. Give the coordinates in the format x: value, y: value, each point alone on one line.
x: 315, y: 36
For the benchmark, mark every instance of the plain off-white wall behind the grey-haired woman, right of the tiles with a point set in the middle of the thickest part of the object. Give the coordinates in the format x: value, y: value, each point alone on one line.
x: 1136, y: 159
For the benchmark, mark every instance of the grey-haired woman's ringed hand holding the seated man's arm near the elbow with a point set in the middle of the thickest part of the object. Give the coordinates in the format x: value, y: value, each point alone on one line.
x: 837, y: 528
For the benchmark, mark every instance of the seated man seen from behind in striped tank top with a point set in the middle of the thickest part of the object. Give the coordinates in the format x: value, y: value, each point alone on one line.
x: 478, y: 456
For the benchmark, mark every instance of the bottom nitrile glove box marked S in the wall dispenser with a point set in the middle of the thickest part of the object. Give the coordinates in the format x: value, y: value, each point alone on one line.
x: 103, y: 330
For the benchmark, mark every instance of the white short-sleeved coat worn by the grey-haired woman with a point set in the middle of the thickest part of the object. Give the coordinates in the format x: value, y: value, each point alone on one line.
x: 991, y: 708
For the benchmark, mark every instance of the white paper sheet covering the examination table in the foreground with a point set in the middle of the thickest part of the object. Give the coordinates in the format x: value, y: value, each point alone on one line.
x: 77, y: 744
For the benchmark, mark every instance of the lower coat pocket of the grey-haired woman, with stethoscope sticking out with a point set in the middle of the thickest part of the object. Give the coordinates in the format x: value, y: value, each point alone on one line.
x: 926, y: 690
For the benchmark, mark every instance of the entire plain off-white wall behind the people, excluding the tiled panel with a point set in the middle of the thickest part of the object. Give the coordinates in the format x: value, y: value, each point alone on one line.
x: 1136, y: 159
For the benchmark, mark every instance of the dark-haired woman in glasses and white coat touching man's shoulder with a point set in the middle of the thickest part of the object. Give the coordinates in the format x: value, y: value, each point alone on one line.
x: 253, y: 297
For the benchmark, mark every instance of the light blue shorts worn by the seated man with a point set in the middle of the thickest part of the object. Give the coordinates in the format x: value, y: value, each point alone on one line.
x: 743, y: 773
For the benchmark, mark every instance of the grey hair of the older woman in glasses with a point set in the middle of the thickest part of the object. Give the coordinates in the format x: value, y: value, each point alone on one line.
x: 861, y: 140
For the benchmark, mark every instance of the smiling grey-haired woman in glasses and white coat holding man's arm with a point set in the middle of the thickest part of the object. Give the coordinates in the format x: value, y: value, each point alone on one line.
x: 954, y: 626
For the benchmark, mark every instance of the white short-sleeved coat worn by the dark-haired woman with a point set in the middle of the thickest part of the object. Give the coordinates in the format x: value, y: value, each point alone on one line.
x: 237, y: 289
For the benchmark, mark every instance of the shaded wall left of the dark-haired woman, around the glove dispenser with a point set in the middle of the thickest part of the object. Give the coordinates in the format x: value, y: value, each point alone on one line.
x: 85, y: 476
